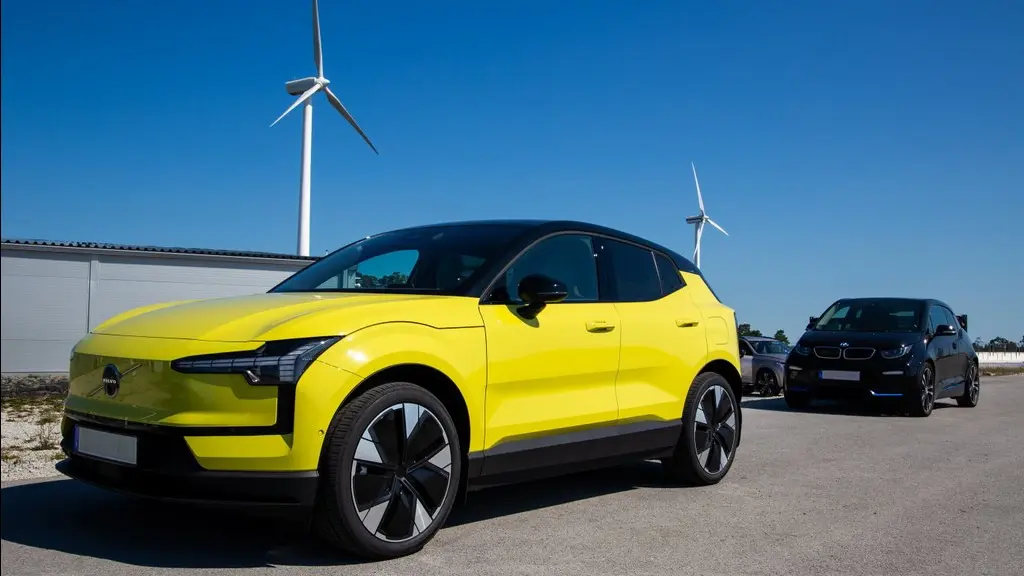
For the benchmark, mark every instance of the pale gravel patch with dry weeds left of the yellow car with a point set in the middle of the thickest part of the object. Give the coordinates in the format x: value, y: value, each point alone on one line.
x: 30, y: 437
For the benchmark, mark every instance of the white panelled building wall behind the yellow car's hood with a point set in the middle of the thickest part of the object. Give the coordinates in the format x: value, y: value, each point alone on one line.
x: 52, y: 298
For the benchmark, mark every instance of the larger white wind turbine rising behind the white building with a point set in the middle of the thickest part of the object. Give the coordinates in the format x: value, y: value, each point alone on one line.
x: 306, y: 89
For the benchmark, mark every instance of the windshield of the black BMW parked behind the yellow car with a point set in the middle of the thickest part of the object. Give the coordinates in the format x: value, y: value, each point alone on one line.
x: 873, y: 315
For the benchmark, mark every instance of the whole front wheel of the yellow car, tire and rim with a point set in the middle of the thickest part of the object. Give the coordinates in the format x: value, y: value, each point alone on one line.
x: 373, y: 503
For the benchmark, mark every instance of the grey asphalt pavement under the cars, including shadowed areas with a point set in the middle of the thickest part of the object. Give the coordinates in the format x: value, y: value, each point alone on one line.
x: 835, y: 490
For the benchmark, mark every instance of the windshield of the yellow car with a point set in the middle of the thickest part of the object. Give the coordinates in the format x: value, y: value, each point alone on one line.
x: 440, y: 260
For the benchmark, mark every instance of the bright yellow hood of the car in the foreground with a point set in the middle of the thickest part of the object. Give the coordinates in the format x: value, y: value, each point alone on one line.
x: 278, y: 316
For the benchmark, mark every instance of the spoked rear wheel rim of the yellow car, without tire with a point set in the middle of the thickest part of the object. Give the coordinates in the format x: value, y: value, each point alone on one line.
x: 715, y: 430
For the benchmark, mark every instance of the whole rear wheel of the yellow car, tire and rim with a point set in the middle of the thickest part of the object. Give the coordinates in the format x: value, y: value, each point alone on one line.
x: 709, y: 436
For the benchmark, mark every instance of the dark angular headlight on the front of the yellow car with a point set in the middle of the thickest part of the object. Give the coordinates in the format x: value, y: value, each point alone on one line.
x: 275, y: 363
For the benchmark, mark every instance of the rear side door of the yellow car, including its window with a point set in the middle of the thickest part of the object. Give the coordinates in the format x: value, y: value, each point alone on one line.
x: 663, y: 342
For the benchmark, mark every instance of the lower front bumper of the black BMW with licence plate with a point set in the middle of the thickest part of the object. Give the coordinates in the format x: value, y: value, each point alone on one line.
x: 881, y: 382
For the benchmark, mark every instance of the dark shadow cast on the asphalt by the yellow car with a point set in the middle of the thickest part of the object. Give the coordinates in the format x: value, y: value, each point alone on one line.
x: 72, y: 518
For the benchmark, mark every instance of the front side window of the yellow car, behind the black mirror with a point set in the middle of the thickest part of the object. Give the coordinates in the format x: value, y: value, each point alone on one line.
x: 567, y: 258
